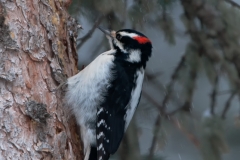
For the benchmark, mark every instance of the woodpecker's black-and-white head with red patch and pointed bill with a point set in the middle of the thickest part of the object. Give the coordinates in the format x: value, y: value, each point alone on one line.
x: 131, y: 45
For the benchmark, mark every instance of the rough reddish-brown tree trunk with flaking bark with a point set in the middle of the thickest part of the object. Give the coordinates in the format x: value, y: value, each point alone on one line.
x: 37, y: 53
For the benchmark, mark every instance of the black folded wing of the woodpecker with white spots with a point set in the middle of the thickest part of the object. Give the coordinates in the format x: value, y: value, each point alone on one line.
x: 111, y: 114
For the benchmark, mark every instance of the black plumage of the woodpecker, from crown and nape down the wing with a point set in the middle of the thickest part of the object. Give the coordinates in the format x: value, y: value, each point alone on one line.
x: 112, y: 111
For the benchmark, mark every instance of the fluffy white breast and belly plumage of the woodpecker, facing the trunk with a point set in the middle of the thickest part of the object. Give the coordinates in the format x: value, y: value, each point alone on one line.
x: 83, y: 95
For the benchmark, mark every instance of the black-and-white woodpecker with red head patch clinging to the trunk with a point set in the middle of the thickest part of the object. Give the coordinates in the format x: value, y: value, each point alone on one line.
x: 105, y: 94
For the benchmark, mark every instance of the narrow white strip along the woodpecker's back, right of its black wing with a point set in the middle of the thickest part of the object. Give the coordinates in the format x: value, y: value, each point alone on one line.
x: 135, y: 95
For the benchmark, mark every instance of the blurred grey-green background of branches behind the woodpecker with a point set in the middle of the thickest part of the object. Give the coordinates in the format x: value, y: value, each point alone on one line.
x: 190, y: 101
